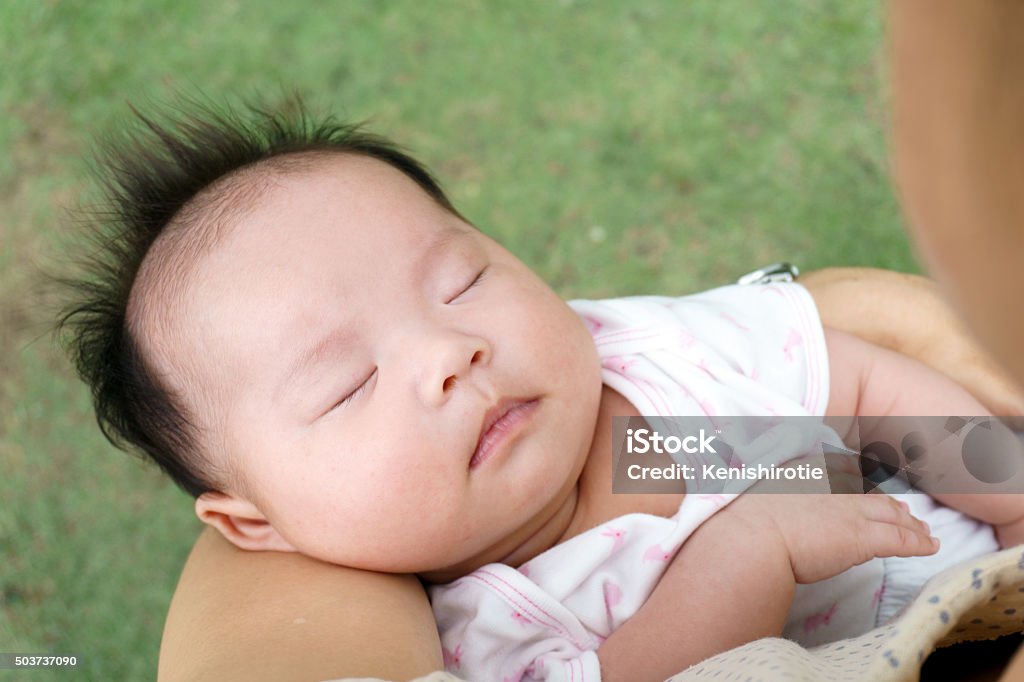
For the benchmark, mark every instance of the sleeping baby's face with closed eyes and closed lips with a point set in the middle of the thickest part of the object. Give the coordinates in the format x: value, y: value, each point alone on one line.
x: 400, y: 393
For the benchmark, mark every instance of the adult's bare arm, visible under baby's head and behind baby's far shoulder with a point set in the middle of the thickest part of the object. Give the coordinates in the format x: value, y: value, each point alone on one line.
x: 251, y: 616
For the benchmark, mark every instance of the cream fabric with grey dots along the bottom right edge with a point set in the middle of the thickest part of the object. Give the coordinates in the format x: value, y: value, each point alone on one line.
x: 978, y: 600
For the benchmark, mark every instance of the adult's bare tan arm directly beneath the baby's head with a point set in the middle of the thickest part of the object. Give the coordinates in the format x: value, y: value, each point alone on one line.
x: 269, y: 616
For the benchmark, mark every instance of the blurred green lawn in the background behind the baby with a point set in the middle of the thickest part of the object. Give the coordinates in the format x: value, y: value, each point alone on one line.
x: 660, y: 148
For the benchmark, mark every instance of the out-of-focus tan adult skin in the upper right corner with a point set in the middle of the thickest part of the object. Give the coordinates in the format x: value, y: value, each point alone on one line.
x: 957, y: 69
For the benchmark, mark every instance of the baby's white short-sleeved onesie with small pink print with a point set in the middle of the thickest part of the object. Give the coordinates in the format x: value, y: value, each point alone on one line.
x: 731, y: 352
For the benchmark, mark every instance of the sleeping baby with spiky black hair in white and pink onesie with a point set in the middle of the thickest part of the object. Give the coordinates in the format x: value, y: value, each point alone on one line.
x: 298, y: 327
